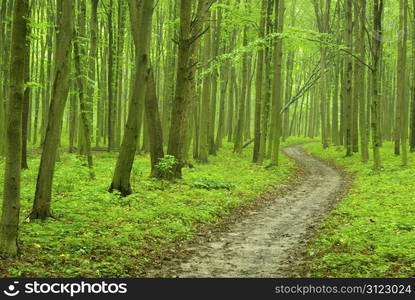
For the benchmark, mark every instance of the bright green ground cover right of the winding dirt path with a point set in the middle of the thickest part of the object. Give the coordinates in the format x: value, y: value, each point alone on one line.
x: 371, y: 233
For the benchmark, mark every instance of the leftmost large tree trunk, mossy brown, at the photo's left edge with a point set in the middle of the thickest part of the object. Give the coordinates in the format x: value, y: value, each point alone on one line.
x: 9, y: 222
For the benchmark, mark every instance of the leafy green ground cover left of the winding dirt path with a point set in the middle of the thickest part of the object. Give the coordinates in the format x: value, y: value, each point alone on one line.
x: 98, y: 234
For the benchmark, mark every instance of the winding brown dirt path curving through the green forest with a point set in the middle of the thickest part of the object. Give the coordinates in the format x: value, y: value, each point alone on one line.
x: 263, y: 244
